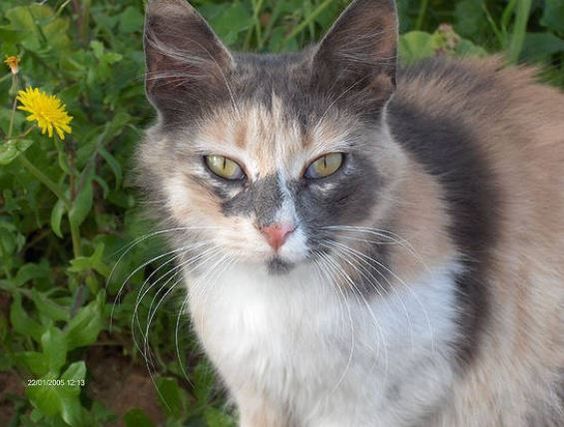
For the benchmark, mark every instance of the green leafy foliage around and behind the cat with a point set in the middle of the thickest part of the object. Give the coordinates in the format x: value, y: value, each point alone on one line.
x: 62, y: 265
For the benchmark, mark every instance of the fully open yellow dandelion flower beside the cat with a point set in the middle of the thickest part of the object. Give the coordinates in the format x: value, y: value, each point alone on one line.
x: 47, y: 110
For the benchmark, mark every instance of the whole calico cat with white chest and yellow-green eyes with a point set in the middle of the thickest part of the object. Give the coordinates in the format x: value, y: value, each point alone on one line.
x: 362, y: 245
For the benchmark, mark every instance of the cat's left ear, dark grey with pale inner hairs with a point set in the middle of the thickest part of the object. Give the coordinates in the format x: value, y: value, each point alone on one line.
x: 186, y: 61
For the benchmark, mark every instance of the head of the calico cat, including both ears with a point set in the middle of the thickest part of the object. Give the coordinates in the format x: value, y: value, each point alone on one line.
x: 267, y: 158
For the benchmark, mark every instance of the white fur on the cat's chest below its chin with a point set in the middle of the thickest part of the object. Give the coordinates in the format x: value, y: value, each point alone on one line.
x: 327, y: 358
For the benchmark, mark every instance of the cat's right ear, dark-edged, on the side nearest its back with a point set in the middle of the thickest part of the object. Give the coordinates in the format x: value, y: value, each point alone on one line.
x: 359, y: 52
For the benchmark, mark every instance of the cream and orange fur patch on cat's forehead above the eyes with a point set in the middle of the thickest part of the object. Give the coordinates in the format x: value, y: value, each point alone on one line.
x: 270, y: 138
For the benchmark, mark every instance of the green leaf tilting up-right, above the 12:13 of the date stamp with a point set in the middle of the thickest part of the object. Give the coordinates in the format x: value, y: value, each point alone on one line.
x: 83, y: 329
